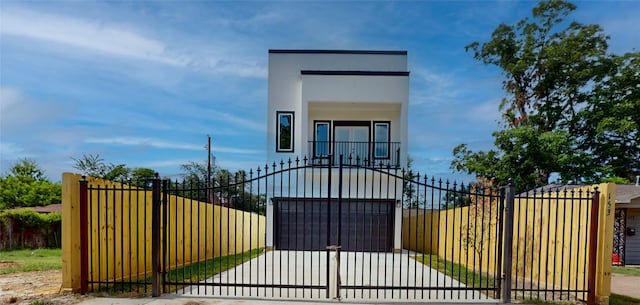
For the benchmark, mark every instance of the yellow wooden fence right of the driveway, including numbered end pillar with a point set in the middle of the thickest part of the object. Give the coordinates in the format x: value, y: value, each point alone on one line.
x: 551, y: 225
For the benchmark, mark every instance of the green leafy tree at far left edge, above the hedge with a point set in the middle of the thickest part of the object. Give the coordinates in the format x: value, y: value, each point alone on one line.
x: 26, y: 185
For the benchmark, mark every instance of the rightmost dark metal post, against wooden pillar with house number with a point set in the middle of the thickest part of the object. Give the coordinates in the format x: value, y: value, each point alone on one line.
x: 593, y: 248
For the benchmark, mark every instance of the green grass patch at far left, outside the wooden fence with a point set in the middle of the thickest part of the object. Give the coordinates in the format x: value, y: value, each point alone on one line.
x: 25, y: 260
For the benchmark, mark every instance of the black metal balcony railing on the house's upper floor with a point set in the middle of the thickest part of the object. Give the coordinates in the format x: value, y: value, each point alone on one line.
x: 357, y: 153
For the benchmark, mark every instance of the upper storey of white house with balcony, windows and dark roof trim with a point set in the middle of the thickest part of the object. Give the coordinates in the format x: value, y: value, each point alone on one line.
x: 324, y: 102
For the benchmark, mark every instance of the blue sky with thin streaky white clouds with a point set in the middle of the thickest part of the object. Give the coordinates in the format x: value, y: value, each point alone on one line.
x: 144, y: 82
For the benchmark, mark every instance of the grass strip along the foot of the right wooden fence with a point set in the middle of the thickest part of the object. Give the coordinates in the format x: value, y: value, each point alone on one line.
x: 456, y: 271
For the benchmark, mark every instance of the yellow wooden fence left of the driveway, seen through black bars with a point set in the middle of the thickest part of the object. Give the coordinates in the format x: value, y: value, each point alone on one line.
x: 119, y: 226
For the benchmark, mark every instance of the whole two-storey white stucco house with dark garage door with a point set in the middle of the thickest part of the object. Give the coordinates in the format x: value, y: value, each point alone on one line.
x: 323, y: 104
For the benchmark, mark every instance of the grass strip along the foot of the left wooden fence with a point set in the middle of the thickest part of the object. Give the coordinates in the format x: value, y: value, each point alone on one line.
x: 193, y: 273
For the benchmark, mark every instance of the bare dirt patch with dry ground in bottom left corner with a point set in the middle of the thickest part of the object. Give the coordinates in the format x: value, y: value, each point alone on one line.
x: 28, y: 287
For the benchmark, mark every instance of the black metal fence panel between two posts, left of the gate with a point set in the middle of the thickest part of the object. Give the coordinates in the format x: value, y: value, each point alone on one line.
x: 117, y: 248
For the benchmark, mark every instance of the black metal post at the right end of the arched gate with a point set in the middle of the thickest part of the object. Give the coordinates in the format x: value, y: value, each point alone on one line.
x: 508, y: 243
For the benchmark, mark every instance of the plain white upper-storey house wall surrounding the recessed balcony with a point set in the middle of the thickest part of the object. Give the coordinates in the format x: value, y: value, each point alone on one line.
x: 289, y: 90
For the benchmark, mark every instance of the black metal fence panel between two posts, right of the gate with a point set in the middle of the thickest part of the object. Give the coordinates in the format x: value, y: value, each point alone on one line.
x: 551, y: 244
